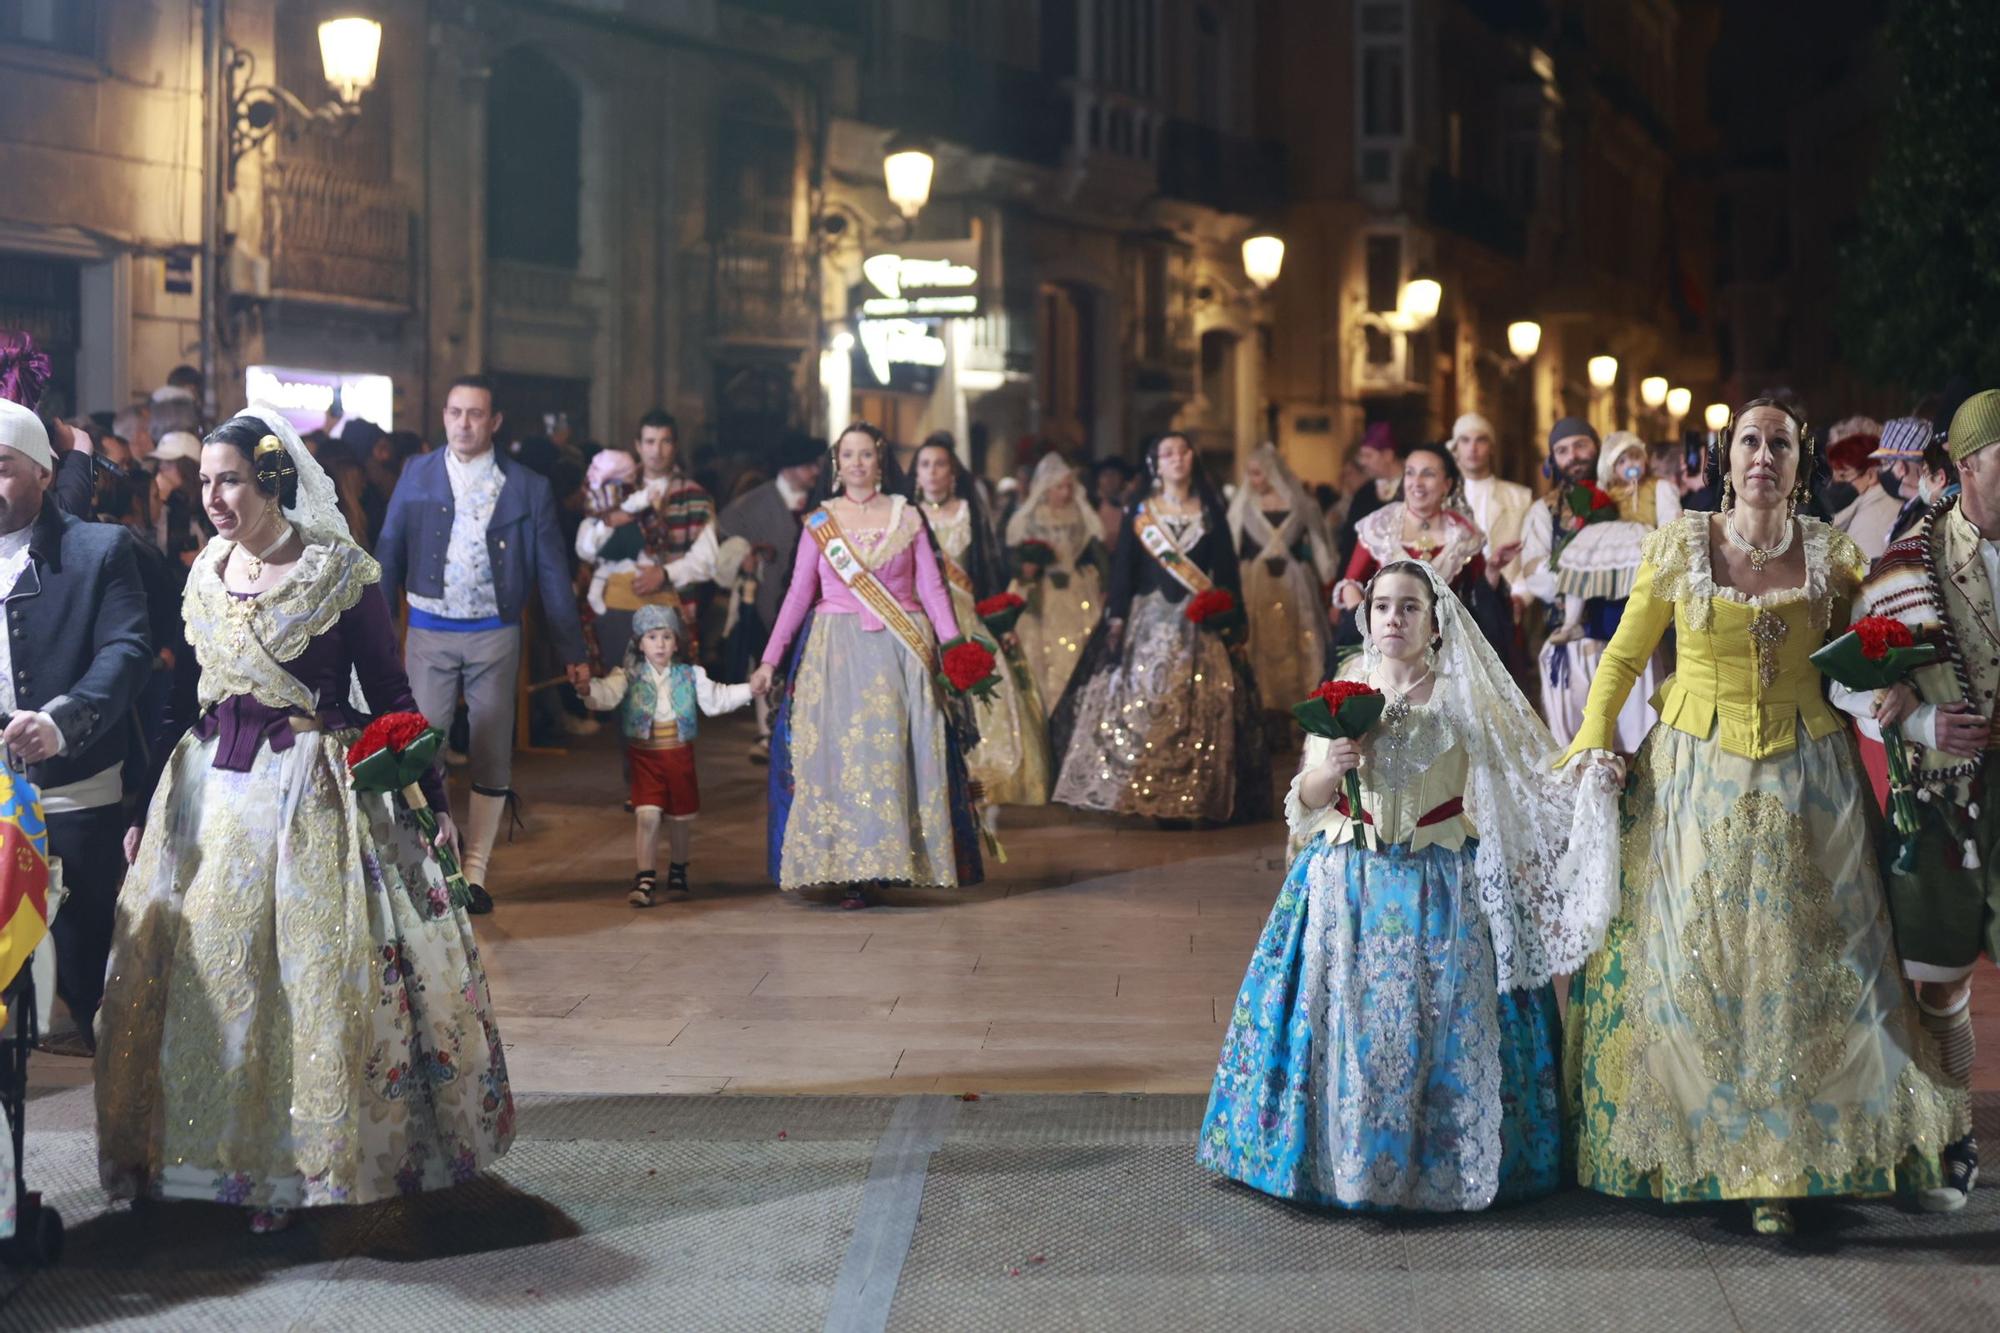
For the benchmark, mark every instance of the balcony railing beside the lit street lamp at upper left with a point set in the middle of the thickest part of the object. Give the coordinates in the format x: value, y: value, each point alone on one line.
x: 335, y: 237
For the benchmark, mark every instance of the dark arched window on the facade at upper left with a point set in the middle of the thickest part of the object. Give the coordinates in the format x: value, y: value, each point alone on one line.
x: 535, y: 127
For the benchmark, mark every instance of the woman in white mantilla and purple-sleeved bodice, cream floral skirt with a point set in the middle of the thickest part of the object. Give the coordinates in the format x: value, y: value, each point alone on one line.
x: 297, y: 1014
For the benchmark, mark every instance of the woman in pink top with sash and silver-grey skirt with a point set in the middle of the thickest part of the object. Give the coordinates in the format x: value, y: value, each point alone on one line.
x: 867, y: 776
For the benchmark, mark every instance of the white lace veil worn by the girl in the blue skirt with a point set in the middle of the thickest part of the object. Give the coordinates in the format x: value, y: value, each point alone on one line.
x: 1547, y: 860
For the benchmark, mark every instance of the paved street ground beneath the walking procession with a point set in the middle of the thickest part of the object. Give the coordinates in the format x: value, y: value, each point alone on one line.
x: 1081, y: 994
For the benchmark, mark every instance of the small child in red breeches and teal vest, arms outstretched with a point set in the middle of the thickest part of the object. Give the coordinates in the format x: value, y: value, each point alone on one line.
x: 659, y: 702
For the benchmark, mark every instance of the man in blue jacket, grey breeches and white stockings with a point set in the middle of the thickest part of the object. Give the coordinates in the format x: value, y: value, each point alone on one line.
x: 467, y: 533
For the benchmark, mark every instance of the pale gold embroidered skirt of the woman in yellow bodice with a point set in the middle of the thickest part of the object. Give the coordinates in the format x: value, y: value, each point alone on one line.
x: 1745, y: 1032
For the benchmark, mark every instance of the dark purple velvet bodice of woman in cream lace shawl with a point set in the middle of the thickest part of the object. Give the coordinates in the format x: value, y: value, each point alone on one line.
x: 363, y: 641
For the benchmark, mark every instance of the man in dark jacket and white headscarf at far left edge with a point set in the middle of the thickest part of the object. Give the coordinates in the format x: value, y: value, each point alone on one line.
x: 73, y: 661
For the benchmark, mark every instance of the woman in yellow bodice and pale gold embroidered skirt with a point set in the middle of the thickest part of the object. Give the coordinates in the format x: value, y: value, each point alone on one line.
x: 1745, y: 1034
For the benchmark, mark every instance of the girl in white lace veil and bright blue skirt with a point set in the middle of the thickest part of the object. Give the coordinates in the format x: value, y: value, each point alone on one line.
x: 1395, y: 1040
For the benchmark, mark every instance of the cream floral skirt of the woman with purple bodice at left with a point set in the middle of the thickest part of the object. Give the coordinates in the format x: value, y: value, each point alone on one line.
x: 295, y: 1016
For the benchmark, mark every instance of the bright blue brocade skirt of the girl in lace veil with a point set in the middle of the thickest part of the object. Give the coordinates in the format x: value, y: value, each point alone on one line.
x: 1371, y: 1062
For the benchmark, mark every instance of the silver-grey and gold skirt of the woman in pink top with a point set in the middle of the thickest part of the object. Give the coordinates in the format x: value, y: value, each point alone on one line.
x: 869, y: 766
